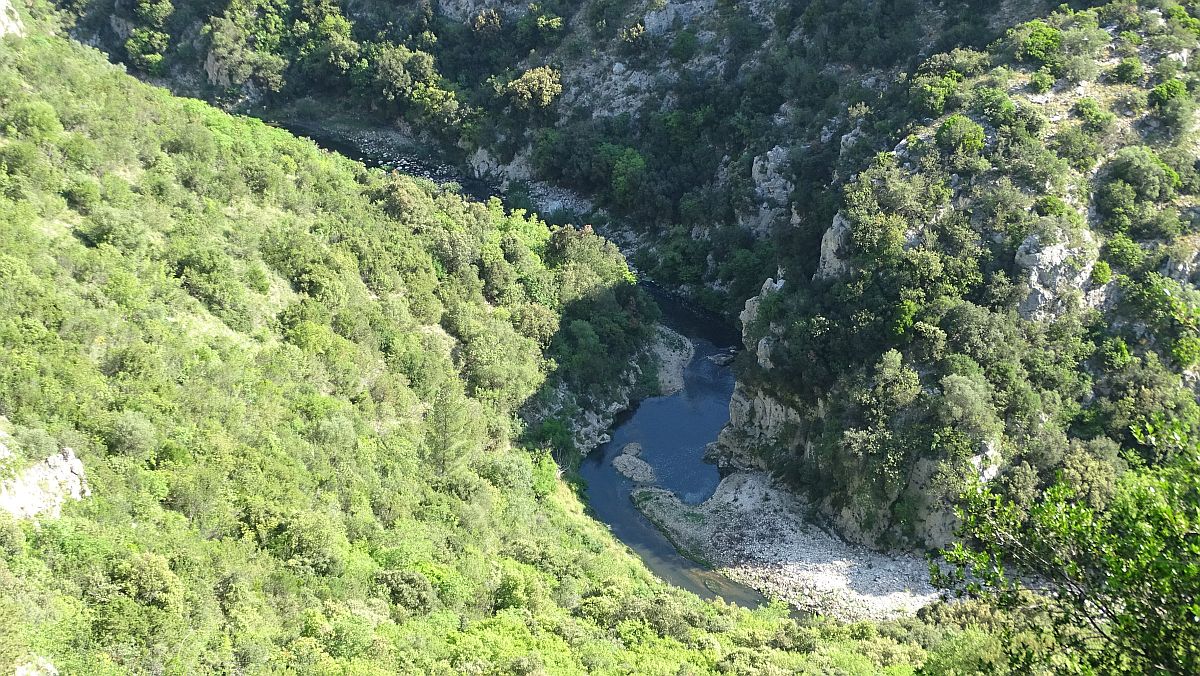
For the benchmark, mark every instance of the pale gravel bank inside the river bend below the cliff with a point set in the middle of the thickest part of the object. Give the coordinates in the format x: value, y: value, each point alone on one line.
x: 758, y: 534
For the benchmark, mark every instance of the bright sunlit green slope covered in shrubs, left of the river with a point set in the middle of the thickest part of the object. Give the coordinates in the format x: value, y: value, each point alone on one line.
x: 293, y: 385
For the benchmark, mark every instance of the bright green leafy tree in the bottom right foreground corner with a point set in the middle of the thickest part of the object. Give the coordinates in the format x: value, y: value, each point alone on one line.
x: 1119, y: 589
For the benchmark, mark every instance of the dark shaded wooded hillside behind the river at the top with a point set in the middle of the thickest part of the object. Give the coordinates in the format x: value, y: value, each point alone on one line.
x: 699, y: 129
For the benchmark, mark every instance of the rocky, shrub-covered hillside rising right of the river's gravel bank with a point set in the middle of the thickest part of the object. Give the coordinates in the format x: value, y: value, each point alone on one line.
x: 1009, y: 294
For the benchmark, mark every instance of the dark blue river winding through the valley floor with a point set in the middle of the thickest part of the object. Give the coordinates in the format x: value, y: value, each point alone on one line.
x: 674, y: 430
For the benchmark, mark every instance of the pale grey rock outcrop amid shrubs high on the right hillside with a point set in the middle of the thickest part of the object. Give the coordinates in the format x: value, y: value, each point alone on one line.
x: 1055, y: 271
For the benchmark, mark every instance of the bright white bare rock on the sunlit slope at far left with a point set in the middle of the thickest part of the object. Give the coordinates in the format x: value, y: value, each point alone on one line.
x: 41, y: 489
